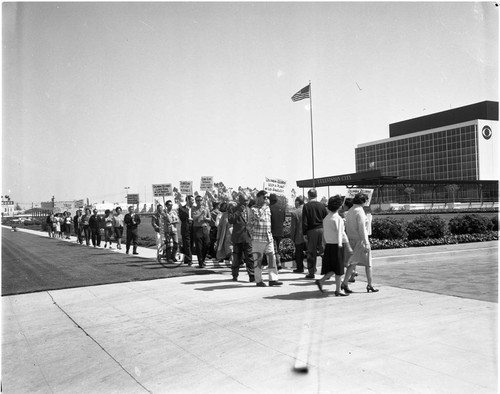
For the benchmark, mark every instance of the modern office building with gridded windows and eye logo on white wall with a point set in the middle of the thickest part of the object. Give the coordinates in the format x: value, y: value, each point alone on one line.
x: 456, y: 148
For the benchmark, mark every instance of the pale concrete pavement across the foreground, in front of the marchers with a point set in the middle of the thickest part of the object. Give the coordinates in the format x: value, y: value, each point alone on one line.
x: 207, y: 334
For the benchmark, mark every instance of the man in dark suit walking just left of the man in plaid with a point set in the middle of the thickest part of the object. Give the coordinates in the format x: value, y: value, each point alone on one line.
x: 239, y: 216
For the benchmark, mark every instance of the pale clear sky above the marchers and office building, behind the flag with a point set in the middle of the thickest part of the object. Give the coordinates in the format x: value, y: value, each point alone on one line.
x: 99, y: 96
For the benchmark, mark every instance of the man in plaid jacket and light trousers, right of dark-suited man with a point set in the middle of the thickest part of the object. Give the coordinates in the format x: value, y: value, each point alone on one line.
x: 262, y: 240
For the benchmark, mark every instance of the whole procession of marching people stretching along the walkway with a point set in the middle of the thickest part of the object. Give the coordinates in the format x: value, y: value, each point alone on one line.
x: 247, y: 232
